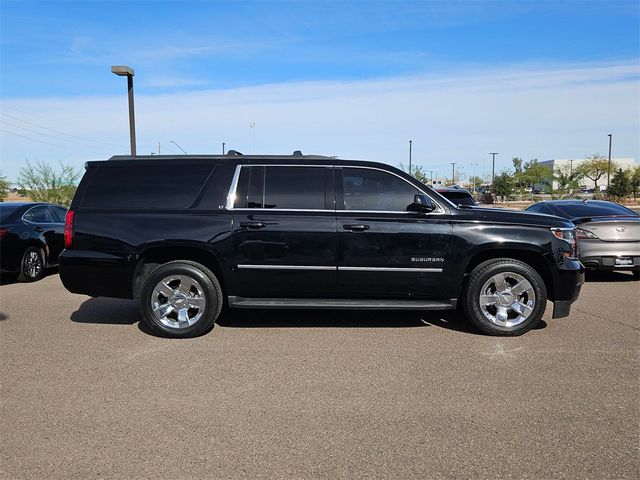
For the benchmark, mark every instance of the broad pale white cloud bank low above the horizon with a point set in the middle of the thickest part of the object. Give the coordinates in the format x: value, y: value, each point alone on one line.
x: 528, y: 111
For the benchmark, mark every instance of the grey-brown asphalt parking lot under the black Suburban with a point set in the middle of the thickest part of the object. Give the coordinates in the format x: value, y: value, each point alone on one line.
x: 85, y: 393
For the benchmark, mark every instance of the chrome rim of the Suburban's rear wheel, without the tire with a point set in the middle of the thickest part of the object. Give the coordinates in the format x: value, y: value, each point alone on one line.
x: 178, y: 301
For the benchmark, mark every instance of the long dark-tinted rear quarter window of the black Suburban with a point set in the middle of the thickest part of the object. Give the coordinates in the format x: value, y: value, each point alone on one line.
x: 150, y: 187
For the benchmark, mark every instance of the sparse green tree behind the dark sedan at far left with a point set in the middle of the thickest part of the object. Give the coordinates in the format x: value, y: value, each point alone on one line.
x: 45, y: 184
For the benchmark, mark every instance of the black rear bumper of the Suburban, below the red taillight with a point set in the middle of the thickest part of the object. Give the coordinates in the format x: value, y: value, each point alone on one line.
x: 98, y: 274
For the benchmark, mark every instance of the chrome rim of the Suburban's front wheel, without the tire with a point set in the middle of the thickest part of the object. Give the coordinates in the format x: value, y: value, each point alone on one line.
x: 507, y: 299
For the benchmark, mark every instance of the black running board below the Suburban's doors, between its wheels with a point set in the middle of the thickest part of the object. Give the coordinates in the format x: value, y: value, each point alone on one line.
x: 341, y: 304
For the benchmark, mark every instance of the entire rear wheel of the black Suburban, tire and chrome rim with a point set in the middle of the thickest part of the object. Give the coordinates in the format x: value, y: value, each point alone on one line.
x: 191, y: 281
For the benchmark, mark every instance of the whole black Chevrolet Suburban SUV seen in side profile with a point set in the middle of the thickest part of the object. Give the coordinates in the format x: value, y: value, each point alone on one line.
x: 187, y: 234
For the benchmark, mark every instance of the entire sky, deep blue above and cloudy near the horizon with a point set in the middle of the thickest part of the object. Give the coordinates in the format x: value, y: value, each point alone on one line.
x: 403, y: 67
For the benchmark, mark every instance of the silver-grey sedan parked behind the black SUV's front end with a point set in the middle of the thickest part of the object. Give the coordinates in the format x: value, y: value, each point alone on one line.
x: 608, y: 233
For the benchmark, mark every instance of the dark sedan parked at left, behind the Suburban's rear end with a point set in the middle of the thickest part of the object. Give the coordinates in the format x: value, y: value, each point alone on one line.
x: 31, y: 238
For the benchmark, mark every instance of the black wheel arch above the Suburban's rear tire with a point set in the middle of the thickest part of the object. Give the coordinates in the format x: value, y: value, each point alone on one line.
x: 154, y: 256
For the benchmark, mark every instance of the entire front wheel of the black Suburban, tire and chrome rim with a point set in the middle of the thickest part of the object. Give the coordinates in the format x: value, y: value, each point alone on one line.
x: 482, y: 281
